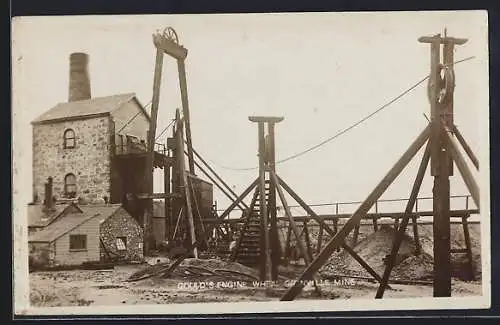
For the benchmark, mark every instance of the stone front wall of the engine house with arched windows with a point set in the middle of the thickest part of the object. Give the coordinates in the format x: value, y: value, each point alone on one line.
x: 89, y: 160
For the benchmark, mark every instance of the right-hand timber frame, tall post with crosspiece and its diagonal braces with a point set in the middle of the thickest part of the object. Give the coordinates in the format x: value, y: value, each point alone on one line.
x: 442, y: 150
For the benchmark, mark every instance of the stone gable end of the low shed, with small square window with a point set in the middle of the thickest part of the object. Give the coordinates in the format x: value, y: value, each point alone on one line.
x: 121, y: 224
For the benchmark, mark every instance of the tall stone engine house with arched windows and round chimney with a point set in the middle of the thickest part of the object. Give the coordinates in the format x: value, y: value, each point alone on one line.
x: 84, y: 144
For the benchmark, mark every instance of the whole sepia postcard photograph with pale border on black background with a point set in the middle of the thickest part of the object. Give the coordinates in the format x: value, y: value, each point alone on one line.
x: 250, y: 163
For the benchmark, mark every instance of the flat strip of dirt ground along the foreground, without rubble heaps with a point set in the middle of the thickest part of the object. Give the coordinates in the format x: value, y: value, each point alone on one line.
x: 109, y: 287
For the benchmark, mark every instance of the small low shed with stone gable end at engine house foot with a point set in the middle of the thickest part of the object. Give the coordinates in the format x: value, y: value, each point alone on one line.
x: 92, y: 233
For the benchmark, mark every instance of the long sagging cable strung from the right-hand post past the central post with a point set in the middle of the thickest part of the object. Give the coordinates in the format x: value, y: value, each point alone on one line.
x: 352, y: 126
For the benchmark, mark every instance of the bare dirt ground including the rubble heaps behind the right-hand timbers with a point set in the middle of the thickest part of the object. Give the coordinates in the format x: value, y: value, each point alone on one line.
x: 215, y: 280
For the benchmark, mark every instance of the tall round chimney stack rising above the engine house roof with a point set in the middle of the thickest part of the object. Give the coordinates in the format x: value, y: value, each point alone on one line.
x: 79, y: 81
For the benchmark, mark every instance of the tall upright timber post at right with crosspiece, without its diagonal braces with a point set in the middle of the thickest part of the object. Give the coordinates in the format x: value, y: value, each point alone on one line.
x: 440, y: 92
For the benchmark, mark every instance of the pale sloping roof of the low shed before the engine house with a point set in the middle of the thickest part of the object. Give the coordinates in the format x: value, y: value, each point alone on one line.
x: 71, y: 221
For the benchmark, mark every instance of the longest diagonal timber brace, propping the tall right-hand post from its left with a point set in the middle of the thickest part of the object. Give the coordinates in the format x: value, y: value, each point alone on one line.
x: 339, y: 238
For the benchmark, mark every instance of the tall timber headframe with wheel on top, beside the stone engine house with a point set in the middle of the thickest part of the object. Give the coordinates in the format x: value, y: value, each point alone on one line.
x: 179, y: 196
